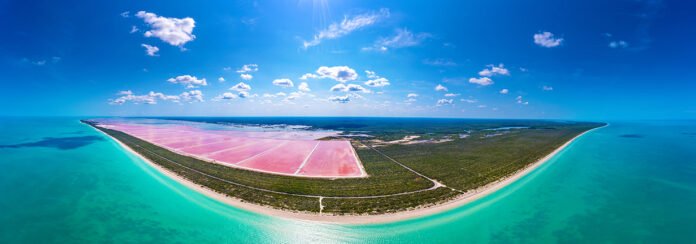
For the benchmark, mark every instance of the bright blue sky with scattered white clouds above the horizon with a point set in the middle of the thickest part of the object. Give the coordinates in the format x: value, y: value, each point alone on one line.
x: 595, y: 59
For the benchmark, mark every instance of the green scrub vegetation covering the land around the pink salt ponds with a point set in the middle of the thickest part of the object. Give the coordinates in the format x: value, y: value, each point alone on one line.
x: 461, y: 164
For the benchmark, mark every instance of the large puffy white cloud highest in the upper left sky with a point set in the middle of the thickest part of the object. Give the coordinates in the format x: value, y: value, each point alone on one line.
x: 174, y: 31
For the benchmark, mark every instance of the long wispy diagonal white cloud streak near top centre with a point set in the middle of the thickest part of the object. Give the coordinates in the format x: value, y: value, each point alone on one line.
x: 348, y: 25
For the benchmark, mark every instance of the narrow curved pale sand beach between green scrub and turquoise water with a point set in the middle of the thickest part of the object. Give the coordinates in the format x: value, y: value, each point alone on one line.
x: 459, y: 201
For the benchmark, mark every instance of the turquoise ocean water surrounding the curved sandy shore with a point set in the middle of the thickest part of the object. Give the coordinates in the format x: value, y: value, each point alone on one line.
x: 62, y: 182
